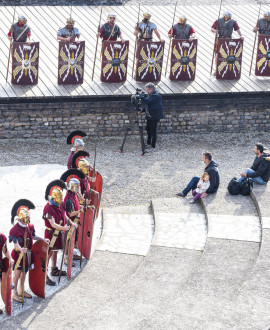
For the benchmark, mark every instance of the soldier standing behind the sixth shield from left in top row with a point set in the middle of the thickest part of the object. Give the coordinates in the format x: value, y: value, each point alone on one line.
x: 224, y: 28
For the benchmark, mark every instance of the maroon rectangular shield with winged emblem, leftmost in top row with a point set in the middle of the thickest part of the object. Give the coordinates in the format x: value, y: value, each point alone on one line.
x: 25, y: 63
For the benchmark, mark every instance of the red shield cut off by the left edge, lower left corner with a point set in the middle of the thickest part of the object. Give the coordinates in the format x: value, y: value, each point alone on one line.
x: 6, y: 285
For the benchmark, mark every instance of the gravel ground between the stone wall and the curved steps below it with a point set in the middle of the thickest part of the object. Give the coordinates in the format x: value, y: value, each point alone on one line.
x: 129, y: 178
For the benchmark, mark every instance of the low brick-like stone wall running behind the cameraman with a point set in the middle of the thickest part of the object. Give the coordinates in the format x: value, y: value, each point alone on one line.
x: 110, y: 116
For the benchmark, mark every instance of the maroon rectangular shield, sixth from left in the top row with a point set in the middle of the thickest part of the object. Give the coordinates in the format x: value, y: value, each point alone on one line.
x: 229, y: 59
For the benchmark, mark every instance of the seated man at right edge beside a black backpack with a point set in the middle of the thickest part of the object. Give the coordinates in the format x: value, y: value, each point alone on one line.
x: 260, y: 170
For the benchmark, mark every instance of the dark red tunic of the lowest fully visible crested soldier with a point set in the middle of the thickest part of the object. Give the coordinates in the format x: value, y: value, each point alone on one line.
x: 16, y: 235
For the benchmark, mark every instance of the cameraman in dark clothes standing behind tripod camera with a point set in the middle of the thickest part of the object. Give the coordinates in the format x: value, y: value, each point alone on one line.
x: 154, y: 113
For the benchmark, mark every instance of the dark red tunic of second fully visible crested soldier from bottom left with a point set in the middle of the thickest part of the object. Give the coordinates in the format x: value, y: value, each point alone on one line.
x: 58, y: 213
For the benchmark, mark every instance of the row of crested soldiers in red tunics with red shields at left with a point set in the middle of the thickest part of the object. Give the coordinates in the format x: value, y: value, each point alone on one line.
x: 65, y: 220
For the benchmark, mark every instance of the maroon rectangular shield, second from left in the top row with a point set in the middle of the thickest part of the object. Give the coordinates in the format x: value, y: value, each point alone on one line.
x: 71, y: 63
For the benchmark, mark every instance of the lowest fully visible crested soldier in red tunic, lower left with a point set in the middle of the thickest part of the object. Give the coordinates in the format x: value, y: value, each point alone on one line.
x: 22, y: 235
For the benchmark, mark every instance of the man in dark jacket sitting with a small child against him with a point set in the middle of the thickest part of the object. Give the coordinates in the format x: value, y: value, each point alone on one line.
x: 212, y: 169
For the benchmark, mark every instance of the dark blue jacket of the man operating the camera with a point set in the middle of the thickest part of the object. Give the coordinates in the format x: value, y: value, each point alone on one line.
x: 154, y: 106
